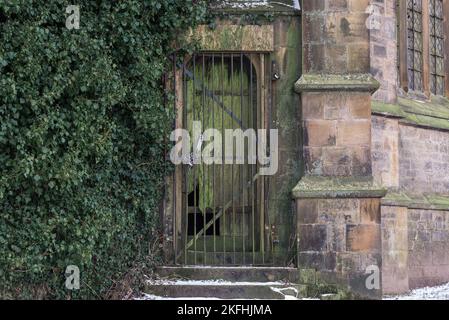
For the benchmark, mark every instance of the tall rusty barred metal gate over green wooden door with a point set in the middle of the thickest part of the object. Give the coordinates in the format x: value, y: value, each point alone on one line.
x: 219, y: 218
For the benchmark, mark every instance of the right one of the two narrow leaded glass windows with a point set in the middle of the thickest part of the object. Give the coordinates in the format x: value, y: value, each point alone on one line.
x: 436, y: 47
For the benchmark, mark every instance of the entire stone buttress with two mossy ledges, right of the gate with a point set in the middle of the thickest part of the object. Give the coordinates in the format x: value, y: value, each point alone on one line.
x: 338, y: 205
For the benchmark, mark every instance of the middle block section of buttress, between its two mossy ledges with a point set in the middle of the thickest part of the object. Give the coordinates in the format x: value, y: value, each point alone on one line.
x: 337, y: 133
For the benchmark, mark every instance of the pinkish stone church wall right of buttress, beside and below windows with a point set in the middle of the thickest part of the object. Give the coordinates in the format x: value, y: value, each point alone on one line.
x: 410, y: 156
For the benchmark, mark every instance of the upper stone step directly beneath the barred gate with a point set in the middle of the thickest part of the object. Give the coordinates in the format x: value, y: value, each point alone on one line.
x: 233, y: 274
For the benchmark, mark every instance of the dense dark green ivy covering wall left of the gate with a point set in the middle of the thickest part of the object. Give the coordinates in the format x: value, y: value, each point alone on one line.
x: 83, y: 128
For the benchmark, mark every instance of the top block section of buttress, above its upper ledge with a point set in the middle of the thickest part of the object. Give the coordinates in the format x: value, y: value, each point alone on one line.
x: 335, y: 39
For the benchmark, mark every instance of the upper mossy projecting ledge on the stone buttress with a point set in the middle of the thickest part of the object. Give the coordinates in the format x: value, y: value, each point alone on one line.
x: 330, y: 82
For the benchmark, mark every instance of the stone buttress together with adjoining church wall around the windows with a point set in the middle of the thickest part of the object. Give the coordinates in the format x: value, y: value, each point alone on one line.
x: 404, y: 147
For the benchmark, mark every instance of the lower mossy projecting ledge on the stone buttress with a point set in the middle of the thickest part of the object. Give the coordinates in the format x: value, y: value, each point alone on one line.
x: 316, y: 187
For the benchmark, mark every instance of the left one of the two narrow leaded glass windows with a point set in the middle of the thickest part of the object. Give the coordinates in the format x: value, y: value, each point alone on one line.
x: 415, y: 44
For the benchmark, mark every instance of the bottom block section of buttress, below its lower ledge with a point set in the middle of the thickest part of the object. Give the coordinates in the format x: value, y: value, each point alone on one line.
x: 340, y: 238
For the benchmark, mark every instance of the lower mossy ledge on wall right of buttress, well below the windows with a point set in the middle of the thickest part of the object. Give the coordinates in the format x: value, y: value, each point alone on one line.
x: 424, y: 202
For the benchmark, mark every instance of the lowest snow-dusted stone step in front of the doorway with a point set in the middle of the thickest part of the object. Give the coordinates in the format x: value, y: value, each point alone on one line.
x: 222, y: 290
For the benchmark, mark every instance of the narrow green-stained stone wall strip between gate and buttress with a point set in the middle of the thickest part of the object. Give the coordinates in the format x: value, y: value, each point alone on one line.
x: 284, y: 116
